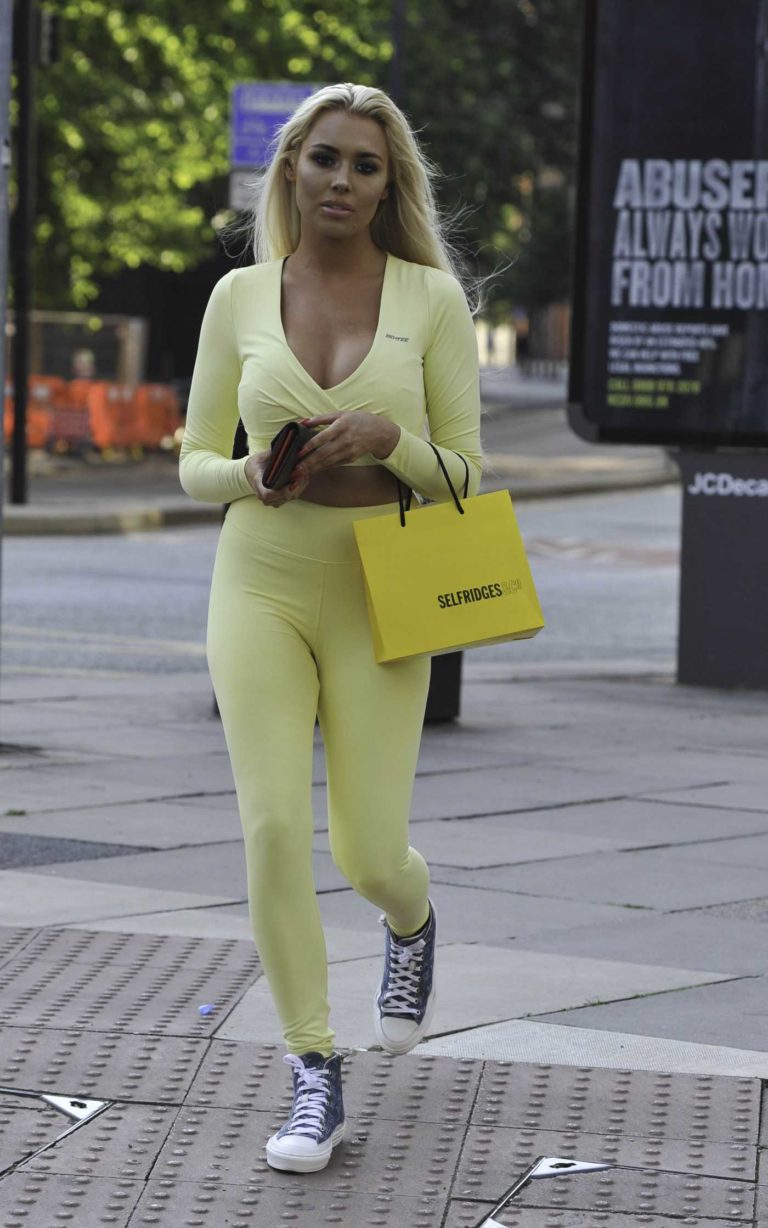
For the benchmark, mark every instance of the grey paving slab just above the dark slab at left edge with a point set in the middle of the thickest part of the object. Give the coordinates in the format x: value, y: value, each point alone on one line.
x: 155, y: 825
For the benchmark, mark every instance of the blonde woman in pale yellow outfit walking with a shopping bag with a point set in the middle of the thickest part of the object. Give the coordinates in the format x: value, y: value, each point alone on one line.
x: 352, y: 322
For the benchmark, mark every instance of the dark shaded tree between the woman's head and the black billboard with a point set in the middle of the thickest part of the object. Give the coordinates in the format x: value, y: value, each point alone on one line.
x: 495, y: 88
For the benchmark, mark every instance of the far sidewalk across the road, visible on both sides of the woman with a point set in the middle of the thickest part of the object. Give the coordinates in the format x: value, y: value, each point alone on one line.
x: 530, y: 451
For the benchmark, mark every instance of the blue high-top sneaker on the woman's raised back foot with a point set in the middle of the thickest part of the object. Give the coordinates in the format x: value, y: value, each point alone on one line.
x: 407, y: 997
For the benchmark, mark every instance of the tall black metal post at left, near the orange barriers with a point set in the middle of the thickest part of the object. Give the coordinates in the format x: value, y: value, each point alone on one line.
x: 24, y: 219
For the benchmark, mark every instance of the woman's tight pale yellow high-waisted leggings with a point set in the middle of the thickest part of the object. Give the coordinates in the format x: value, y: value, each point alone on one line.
x: 289, y: 642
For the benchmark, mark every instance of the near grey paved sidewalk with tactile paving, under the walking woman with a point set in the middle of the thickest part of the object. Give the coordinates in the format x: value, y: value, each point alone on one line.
x: 599, y: 852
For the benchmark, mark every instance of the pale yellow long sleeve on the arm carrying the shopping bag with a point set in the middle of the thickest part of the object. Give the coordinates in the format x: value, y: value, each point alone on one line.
x: 452, y: 381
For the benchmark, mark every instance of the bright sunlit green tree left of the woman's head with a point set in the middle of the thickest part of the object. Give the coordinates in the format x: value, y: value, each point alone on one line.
x: 135, y: 123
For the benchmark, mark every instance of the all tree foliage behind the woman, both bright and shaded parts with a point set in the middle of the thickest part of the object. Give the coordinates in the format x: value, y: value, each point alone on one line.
x: 135, y: 125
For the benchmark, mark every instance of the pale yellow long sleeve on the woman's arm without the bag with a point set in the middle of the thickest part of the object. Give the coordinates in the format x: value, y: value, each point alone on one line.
x: 207, y: 471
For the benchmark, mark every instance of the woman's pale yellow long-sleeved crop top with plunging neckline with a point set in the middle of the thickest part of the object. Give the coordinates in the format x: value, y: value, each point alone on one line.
x: 422, y: 373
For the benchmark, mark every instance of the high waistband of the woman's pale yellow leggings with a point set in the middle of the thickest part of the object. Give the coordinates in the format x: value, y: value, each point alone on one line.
x: 305, y: 530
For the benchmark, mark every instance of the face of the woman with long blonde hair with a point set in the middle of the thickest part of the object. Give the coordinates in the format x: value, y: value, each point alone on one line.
x: 341, y: 174
